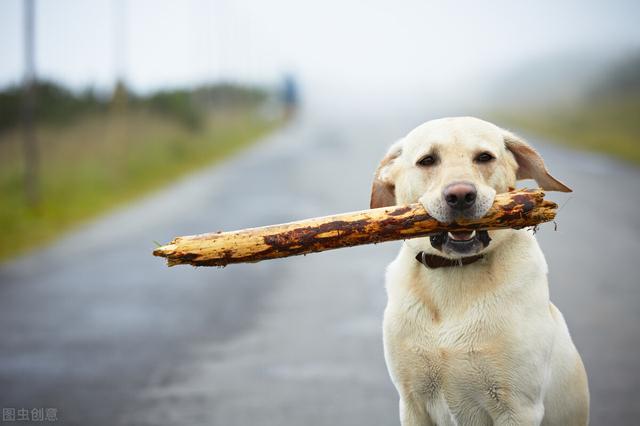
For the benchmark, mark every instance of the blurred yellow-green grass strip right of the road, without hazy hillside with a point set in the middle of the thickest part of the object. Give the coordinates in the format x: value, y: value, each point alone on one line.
x: 610, y: 126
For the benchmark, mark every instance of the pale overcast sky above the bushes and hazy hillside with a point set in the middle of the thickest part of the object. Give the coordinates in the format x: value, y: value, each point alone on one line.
x: 337, y: 45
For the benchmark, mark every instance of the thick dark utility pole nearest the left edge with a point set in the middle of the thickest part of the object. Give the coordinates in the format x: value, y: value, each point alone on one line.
x: 30, y: 143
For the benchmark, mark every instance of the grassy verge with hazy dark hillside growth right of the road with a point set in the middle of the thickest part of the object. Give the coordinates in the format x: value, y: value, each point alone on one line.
x: 606, y: 119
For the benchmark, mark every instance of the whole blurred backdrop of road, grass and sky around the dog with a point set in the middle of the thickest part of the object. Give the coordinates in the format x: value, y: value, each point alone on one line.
x: 126, y: 123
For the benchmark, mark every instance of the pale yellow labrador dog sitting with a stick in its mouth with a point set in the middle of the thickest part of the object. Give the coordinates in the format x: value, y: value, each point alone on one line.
x: 470, y: 335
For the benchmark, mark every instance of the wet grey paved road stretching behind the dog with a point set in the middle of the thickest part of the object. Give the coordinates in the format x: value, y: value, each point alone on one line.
x: 97, y: 328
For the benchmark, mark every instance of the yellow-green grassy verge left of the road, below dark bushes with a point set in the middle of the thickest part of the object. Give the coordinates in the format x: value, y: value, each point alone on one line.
x: 102, y: 161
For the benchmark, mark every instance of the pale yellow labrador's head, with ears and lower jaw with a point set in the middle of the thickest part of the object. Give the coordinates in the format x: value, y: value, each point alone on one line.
x: 455, y: 167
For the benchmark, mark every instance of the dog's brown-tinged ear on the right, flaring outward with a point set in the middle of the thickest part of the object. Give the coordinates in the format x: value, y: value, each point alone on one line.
x: 531, y: 165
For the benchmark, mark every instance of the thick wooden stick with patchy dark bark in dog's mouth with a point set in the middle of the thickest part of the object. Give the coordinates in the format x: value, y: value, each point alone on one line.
x: 516, y: 209
